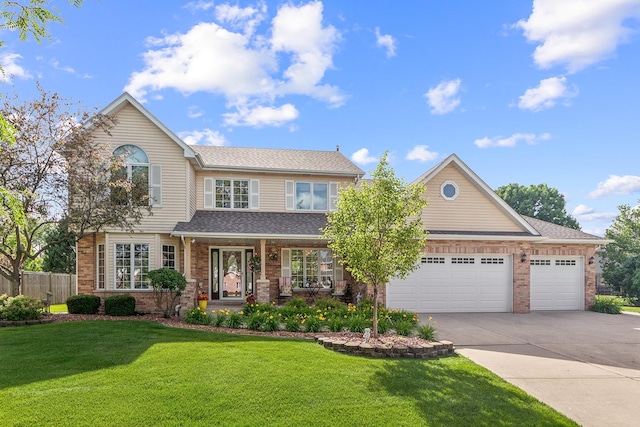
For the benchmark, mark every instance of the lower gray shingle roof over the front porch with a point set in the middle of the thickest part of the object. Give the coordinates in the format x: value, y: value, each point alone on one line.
x: 258, y: 223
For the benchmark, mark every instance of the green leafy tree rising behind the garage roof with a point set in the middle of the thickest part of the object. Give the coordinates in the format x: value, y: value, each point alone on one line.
x: 538, y: 201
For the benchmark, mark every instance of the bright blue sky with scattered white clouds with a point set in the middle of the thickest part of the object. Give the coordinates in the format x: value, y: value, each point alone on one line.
x: 525, y: 92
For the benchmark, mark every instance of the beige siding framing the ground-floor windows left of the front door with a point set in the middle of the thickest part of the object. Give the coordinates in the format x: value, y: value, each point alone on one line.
x: 155, y: 242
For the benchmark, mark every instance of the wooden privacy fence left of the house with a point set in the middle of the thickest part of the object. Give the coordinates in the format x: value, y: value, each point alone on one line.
x: 37, y: 284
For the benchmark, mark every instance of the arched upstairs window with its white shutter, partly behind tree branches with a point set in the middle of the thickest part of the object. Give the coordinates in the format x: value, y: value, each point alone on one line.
x: 146, y: 179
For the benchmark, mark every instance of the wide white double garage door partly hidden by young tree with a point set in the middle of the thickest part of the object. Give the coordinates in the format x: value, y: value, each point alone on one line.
x: 472, y: 283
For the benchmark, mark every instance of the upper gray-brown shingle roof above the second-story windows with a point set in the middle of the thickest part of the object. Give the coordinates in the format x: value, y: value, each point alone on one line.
x: 274, y: 159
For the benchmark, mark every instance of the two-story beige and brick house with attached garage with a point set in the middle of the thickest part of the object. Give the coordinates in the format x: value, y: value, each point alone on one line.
x: 214, y: 209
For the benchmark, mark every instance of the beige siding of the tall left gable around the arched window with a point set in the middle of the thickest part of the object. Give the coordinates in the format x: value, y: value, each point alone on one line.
x: 133, y: 128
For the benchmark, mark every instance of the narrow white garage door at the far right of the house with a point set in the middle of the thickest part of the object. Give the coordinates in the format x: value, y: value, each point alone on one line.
x: 556, y: 283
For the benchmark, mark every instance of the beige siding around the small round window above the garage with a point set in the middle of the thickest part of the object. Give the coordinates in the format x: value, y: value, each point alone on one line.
x: 472, y: 210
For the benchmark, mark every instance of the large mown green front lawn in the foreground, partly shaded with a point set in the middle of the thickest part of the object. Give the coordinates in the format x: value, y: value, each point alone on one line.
x: 126, y: 373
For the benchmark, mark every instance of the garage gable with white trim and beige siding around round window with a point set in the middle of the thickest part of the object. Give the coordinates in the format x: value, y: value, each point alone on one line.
x: 478, y: 209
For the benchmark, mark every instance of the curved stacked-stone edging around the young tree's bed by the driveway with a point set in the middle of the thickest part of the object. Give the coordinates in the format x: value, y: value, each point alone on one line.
x: 422, y: 351
